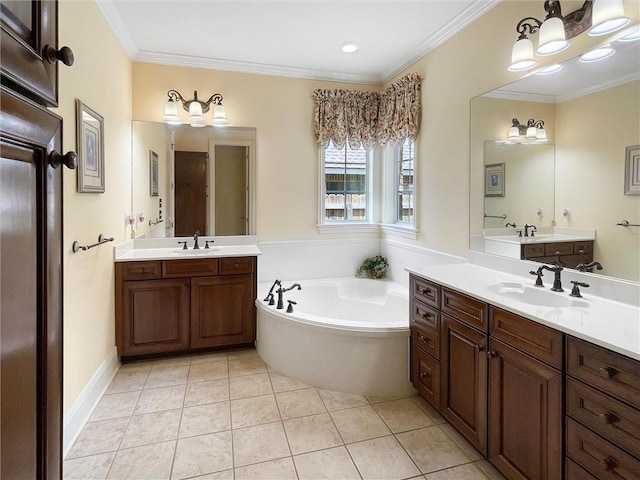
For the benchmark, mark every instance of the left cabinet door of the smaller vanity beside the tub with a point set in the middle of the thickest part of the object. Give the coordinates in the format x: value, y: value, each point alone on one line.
x: 155, y: 316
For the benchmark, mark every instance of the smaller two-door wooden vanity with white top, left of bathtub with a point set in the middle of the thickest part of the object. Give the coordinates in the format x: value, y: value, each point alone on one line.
x: 170, y: 301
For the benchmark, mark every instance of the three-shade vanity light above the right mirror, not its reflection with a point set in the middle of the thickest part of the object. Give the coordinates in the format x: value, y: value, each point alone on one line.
x: 554, y: 33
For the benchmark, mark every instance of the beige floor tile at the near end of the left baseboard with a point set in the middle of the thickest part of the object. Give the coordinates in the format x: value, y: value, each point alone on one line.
x: 99, y: 437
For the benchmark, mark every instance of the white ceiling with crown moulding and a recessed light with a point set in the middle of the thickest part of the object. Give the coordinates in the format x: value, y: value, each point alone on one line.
x: 293, y: 38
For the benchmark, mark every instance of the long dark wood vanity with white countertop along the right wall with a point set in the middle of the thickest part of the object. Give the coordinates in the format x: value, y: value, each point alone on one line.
x: 498, y: 359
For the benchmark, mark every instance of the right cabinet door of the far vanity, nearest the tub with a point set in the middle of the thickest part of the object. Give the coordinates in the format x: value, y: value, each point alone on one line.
x: 222, y: 311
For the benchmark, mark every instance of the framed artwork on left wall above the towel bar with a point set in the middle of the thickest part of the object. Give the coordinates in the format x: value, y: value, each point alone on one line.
x: 90, y: 145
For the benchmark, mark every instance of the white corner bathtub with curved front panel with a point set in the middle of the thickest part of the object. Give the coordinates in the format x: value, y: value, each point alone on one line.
x: 347, y: 334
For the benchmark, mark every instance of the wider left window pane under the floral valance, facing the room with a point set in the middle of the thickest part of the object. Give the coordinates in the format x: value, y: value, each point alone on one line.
x: 346, y: 184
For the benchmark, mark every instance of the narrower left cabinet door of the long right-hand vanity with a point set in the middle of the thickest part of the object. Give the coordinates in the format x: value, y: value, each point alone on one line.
x: 463, y: 392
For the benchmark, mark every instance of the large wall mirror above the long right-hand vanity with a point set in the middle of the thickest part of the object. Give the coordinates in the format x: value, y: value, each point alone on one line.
x: 575, y: 181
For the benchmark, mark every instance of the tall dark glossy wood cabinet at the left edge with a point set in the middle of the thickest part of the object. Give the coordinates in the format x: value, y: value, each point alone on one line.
x: 30, y: 242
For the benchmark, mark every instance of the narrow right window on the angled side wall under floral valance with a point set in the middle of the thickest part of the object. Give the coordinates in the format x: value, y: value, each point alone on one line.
x: 404, y: 192
